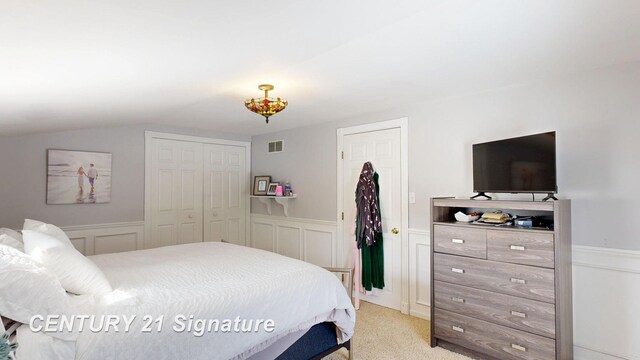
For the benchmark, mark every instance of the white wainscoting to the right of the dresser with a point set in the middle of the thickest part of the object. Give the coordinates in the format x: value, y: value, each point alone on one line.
x: 606, y: 299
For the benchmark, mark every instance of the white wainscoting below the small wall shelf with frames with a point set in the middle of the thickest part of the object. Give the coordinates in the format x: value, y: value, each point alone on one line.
x: 310, y: 240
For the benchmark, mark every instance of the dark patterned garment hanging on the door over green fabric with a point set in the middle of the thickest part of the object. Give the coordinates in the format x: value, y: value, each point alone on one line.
x: 368, y: 221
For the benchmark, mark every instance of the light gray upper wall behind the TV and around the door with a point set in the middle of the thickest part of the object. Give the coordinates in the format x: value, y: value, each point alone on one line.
x: 596, y: 115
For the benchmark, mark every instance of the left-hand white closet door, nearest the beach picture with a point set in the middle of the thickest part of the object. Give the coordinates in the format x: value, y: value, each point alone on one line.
x: 176, y: 192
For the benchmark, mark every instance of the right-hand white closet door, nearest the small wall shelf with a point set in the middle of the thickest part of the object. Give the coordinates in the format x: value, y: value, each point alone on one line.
x: 225, y: 190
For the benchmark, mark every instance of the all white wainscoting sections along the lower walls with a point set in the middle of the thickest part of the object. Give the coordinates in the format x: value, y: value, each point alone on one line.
x: 606, y: 282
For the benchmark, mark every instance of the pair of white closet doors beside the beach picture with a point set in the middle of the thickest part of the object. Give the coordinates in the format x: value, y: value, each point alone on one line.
x: 198, y: 193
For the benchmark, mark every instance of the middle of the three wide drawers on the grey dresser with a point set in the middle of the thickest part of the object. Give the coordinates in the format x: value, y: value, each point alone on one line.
x: 528, y: 315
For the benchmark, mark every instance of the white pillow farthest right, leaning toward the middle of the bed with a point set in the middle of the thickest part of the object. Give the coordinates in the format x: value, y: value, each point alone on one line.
x: 77, y: 274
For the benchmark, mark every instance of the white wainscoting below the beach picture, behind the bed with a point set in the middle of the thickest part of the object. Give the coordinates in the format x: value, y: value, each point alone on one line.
x: 106, y: 238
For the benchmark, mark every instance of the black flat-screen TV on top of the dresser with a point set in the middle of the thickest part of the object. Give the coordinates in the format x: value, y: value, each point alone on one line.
x: 522, y: 164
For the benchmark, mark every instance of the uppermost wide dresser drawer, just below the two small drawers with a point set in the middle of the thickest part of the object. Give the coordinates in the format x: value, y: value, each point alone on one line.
x: 519, y: 280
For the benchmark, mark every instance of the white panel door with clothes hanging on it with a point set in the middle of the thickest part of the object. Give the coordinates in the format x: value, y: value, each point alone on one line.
x: 383, y: 149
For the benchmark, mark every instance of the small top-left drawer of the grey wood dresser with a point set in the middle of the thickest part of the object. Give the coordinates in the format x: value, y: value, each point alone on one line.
x: 460, y: 241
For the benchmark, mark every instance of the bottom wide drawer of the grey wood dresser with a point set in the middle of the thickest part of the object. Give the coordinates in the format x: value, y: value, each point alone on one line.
x: 494, y: 340
